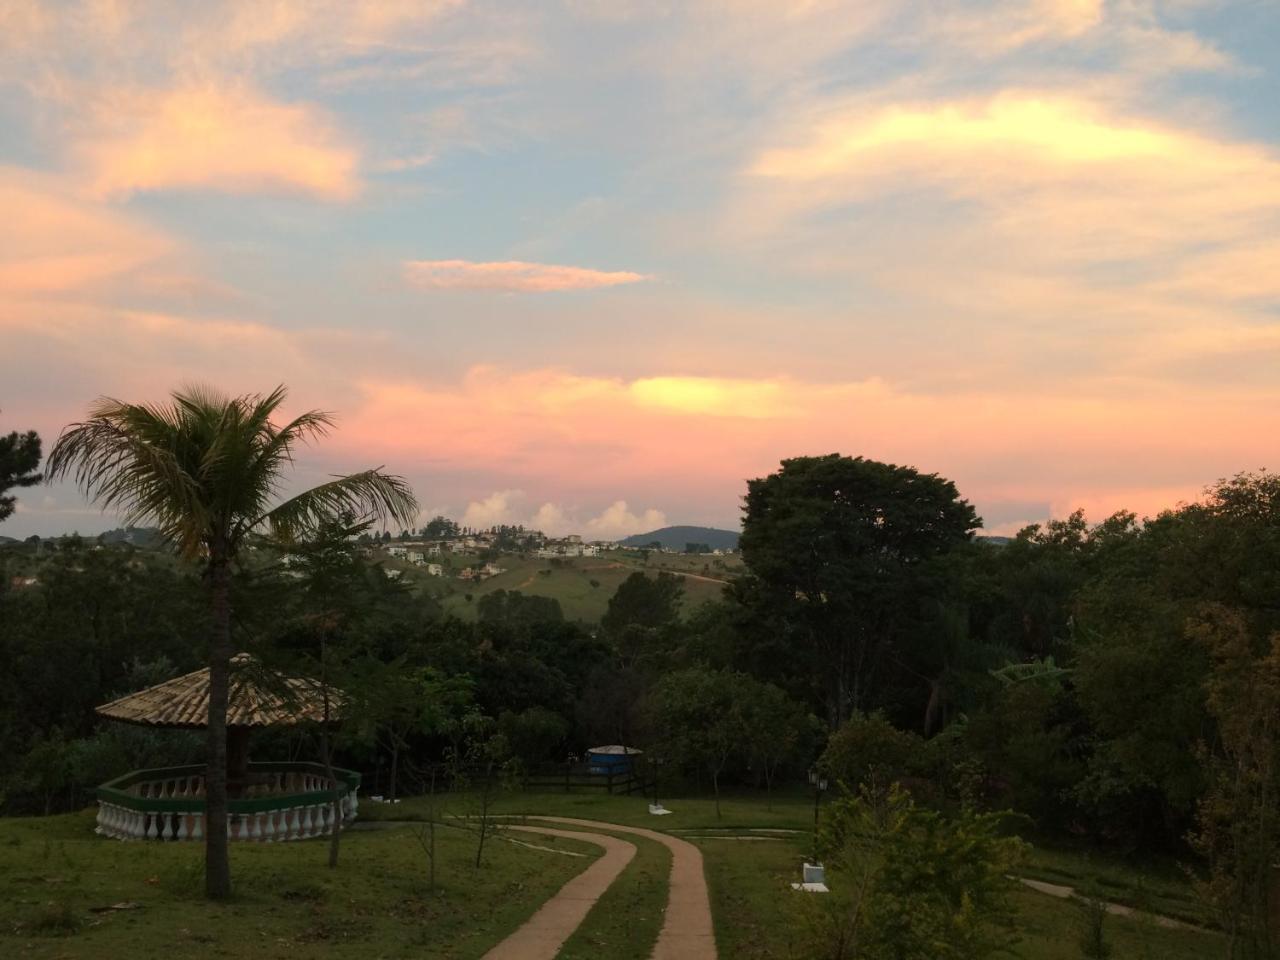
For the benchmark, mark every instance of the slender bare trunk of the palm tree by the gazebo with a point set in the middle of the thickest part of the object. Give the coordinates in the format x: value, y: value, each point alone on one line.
x: 218, y: 870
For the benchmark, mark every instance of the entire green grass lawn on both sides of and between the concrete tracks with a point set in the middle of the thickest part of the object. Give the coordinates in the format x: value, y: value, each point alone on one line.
x: 54, y: 871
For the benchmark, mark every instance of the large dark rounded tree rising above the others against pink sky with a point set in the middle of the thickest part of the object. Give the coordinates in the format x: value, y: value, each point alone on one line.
x: 835, y: 550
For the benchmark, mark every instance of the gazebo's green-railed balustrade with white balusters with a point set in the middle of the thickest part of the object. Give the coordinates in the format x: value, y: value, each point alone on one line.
x: 278, y: 802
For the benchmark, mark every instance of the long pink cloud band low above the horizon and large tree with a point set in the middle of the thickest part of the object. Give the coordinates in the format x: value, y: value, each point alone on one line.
x: 570, y: 440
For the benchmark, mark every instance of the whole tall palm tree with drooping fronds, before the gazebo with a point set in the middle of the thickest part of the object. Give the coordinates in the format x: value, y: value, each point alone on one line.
x: 208, y: 472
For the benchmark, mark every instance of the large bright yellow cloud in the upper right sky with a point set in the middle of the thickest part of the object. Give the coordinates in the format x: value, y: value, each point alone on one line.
x: 1054, y: 180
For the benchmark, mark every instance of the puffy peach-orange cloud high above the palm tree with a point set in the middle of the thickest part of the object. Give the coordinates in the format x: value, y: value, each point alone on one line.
x: 228, y: 139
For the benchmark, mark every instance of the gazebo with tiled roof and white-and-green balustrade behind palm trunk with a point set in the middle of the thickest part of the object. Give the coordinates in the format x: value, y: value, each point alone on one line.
x: 267, y: 802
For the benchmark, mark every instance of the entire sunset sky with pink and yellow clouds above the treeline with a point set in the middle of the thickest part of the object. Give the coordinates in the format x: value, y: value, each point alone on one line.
x: 591, y: 264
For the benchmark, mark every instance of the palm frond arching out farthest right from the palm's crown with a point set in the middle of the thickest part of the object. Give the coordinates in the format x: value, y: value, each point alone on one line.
x: 368, y: 496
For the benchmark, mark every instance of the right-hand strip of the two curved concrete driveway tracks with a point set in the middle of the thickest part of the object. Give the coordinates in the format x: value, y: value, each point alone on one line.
x: 687, y: 931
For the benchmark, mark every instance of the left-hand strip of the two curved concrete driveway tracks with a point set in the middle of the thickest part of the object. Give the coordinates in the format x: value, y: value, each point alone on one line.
x: 542, y: 936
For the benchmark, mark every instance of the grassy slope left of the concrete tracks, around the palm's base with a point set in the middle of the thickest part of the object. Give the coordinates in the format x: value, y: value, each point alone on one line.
x: 289, y: 904
